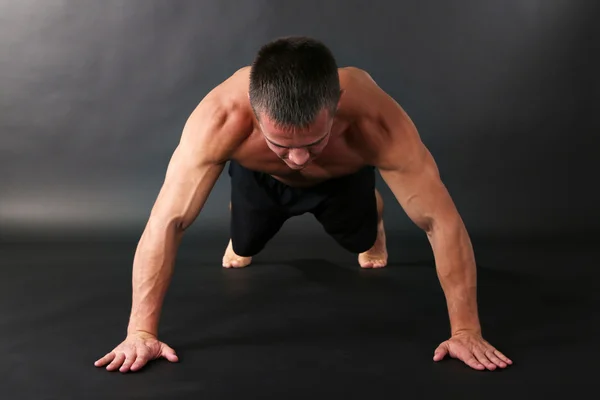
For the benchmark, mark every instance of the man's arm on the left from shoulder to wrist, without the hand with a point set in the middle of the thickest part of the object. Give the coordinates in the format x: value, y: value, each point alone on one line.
x: 210, y: 135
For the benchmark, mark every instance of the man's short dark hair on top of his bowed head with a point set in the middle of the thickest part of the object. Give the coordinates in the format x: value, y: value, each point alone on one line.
x: 292, y: 79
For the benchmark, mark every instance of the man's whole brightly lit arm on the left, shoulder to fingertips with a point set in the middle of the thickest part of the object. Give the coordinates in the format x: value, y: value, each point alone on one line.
x: 211, y: 135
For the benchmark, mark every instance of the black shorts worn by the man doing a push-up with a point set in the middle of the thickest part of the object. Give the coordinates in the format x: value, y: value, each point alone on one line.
x: 346, y: 207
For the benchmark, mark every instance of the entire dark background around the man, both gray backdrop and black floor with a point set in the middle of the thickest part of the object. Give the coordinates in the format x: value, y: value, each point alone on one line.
x: 93, y: 98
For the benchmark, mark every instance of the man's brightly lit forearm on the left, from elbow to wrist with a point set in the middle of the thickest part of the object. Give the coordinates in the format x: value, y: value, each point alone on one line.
x: 152, y: 271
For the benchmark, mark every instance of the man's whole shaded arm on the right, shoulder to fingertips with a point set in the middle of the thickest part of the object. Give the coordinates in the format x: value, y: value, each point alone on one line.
x: 411, y: 173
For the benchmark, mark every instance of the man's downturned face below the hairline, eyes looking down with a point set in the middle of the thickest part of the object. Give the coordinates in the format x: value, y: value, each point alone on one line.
x: 297, y: 147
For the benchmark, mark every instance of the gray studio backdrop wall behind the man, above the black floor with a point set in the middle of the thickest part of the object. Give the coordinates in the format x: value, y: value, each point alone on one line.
x: 94, y: 95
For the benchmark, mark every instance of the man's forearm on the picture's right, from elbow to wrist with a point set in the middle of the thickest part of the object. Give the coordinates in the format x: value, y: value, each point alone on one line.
x: 456, y: 269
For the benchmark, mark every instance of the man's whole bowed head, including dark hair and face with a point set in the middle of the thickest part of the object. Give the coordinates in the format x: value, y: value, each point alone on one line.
x: 294, y: 92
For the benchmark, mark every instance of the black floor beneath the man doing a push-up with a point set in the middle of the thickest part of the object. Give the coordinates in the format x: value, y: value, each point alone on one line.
x: 302, y: 321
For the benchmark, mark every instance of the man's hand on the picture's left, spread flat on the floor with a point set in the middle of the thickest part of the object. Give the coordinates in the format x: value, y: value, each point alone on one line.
x: 135, y: 351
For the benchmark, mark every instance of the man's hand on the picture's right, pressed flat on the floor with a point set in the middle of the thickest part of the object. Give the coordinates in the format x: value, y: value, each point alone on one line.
x: 473, y: 350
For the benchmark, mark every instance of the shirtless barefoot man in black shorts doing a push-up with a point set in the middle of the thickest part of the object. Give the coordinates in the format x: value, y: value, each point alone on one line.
x: 302, y: 135
